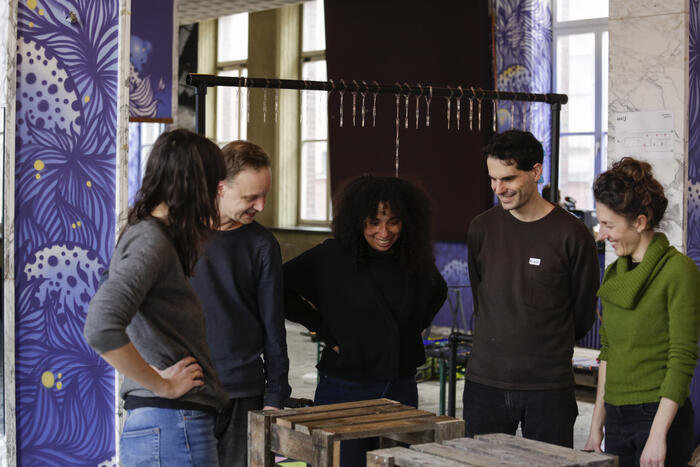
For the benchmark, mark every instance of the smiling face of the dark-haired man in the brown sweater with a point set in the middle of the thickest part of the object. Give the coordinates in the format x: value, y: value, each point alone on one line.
x: 515, y: 188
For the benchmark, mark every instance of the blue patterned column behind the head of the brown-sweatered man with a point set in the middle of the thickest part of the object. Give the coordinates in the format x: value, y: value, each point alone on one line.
x: 524, y: 64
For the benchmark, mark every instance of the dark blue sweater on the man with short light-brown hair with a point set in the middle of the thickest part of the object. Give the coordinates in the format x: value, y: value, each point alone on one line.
x: 238, y: 280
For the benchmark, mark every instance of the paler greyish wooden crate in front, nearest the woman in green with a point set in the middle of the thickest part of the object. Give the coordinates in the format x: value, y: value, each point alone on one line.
x: 487, y: 450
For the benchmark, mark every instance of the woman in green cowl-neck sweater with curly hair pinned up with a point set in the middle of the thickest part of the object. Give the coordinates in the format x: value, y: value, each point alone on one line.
x: 651, y: 321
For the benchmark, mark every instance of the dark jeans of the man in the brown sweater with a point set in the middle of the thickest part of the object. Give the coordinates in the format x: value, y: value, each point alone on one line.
x: 545, y: 415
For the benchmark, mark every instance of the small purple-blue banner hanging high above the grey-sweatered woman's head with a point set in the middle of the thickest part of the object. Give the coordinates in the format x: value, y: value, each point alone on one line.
x: 151, y: 54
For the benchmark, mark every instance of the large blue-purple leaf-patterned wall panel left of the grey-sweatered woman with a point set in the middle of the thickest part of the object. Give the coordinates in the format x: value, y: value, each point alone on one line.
x: 64, y: 227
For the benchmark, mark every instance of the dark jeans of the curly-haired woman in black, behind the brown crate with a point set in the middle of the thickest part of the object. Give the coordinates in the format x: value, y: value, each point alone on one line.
x: 332, y: 390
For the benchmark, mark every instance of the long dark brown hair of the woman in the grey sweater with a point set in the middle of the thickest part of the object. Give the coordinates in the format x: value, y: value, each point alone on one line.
x: 183, y: 172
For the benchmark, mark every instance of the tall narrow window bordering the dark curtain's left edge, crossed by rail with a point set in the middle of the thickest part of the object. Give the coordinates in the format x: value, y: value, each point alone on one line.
x: 314, y: 206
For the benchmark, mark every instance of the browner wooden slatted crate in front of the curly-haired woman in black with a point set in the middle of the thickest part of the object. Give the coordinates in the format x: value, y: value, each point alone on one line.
x: 313, y: 434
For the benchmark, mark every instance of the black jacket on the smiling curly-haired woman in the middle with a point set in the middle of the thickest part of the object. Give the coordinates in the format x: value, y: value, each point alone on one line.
x: 353, y: 306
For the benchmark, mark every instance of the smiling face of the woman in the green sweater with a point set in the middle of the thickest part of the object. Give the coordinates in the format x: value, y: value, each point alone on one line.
x: 625, y: 237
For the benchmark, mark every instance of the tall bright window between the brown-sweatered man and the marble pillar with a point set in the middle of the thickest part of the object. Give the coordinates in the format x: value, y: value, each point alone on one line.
x: 581, y: 64
